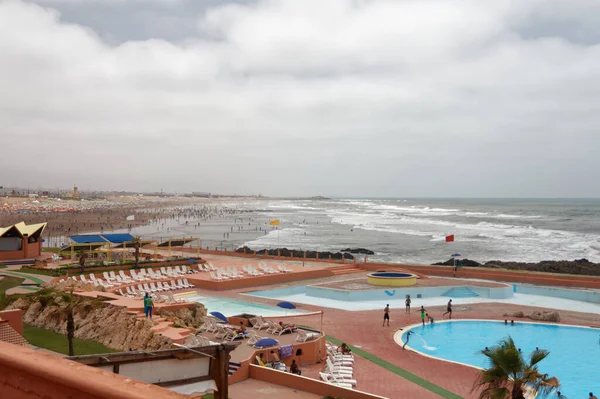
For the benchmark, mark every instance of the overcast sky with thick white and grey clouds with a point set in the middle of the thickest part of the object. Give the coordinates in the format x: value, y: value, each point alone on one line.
x: 338, y: 98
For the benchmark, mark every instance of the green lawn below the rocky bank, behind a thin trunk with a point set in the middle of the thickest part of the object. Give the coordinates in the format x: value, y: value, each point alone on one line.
x: 58, y: 342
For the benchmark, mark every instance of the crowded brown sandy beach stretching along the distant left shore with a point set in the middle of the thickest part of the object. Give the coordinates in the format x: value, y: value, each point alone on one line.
x: 148, y: 216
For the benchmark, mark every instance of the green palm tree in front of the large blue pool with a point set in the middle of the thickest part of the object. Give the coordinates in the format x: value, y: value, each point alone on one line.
x: 509, y: 373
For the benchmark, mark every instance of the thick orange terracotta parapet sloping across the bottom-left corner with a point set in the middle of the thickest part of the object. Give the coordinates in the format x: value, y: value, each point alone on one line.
x: 29, y: 374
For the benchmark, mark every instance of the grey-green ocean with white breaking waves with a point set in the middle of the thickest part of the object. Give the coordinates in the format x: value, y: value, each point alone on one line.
x: 401, y: 230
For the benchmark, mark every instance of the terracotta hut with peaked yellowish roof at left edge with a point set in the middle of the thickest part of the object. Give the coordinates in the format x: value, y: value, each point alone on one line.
x: 21, y: 241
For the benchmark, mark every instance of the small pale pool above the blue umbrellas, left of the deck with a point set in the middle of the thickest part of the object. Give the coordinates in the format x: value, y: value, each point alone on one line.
x: 231, y: 308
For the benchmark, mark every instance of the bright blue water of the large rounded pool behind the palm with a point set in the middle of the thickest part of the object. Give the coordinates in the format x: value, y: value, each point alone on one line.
x: 574, y: 351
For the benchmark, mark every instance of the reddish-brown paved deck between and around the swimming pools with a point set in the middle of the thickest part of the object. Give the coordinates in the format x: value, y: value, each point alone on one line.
x: 363, y: 329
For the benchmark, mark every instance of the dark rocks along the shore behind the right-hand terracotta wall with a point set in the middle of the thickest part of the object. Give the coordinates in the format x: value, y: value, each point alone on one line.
x: 577, y: 266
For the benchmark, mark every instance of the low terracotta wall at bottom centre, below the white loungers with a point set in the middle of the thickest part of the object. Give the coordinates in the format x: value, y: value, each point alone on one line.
x: 306, y: 384
